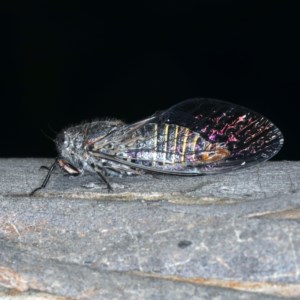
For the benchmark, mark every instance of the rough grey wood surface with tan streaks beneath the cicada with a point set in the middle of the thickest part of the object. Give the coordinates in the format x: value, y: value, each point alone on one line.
x: 155, y: 236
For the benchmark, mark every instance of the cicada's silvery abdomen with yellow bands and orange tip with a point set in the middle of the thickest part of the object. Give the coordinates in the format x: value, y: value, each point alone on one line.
x: 169, y: 146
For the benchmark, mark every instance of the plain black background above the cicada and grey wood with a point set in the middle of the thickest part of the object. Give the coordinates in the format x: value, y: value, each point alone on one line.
x: 64, y: 62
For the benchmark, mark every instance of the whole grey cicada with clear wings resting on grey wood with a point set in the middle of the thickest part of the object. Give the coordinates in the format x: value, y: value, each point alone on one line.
x: 195, y: 137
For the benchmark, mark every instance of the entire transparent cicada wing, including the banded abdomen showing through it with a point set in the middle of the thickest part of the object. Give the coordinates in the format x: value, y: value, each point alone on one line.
x: 198, y: 136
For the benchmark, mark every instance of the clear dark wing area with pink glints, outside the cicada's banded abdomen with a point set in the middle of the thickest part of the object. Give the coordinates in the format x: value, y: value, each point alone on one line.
x: 248, y: 136
